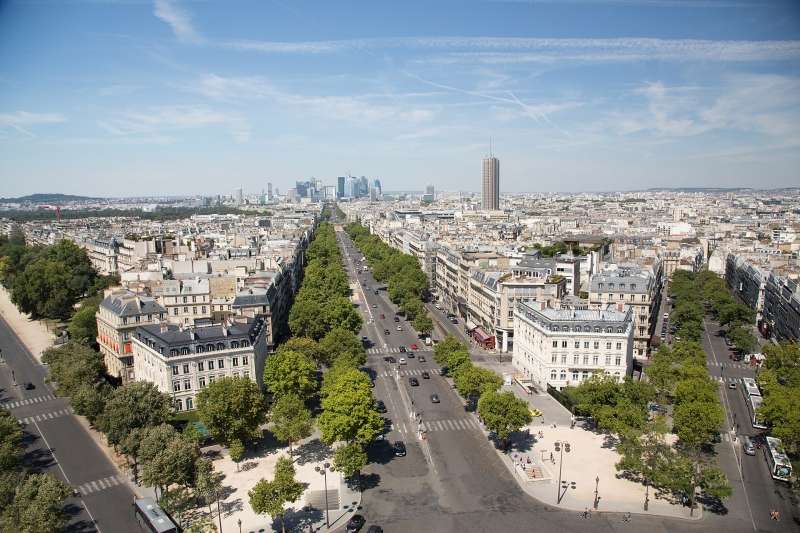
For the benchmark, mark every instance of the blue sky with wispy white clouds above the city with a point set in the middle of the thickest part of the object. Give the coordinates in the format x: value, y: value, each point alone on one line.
x: 128, y: 98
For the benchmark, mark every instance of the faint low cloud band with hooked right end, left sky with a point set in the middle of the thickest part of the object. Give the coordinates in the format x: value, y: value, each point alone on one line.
x: 156, y: 120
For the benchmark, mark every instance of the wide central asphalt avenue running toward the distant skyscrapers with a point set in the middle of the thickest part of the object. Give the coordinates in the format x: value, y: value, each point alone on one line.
x: 452, y: 480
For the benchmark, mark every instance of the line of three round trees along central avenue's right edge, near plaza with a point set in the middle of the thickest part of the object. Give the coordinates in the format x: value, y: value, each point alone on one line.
x: 501, y: 412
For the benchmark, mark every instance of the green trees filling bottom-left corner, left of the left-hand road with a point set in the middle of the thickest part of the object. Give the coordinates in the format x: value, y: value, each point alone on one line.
x: 29, y: 502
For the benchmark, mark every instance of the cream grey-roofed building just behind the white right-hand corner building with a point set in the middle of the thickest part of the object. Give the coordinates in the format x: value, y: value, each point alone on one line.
x: 636, y: 286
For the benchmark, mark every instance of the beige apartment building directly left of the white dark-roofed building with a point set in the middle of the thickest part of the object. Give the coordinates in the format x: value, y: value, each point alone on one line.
x: 118, y: 316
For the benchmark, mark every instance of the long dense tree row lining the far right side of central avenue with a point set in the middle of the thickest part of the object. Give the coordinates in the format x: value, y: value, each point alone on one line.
x: 406, y: 283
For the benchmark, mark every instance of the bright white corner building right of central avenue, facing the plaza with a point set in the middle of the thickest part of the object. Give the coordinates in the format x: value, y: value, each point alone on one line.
x: 564, y: 347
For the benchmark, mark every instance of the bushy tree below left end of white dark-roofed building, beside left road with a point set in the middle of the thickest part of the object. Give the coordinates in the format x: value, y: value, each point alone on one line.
x: 135, y: 405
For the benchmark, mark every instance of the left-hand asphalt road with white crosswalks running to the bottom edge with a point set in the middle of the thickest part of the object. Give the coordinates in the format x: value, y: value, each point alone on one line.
x: 56, y: 443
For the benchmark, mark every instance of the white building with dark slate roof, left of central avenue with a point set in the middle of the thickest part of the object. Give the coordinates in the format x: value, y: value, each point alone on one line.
x: 181, y: 361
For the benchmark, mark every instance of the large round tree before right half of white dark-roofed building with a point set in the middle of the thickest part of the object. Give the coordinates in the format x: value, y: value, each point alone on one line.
x: 232, y: 408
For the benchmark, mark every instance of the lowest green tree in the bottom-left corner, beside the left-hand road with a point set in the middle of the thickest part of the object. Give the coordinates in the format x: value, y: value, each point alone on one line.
x: 38, y: 506
